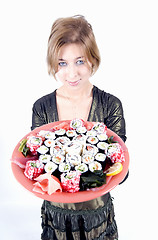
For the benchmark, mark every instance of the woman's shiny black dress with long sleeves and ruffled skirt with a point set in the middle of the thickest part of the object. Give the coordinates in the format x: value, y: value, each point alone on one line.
x: 90, y: 220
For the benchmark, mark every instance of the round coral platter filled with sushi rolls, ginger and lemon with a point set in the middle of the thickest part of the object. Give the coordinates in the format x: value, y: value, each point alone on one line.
x: 70, y: 161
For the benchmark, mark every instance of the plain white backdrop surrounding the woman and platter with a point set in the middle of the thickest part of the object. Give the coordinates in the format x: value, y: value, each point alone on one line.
x: 126, y: 33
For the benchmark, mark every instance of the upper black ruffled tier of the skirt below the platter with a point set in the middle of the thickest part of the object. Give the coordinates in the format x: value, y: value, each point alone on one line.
x: 61, y: 219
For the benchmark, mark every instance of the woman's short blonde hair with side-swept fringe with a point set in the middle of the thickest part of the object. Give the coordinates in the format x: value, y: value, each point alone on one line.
x: 74, y: 29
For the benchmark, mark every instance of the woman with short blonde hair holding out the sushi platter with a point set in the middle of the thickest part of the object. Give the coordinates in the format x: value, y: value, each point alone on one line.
x: 73, y: 57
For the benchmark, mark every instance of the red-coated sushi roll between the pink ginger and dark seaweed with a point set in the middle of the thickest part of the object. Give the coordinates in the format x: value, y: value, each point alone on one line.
x: 70, y: 181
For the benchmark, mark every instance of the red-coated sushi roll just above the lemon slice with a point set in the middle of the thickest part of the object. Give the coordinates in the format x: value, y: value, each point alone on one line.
x: 115, y: 153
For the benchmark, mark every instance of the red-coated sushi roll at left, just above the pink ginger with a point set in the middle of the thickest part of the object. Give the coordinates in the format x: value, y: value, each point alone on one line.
x: 33, y: 169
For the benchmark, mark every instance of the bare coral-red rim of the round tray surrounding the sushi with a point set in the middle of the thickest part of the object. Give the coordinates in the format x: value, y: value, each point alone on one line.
x: 64, y: 197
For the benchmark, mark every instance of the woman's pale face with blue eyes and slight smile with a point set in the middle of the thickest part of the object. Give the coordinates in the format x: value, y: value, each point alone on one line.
x: 74, y: 70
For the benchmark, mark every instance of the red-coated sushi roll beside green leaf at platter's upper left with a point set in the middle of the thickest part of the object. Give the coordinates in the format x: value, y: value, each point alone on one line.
x: 33, y: 143
